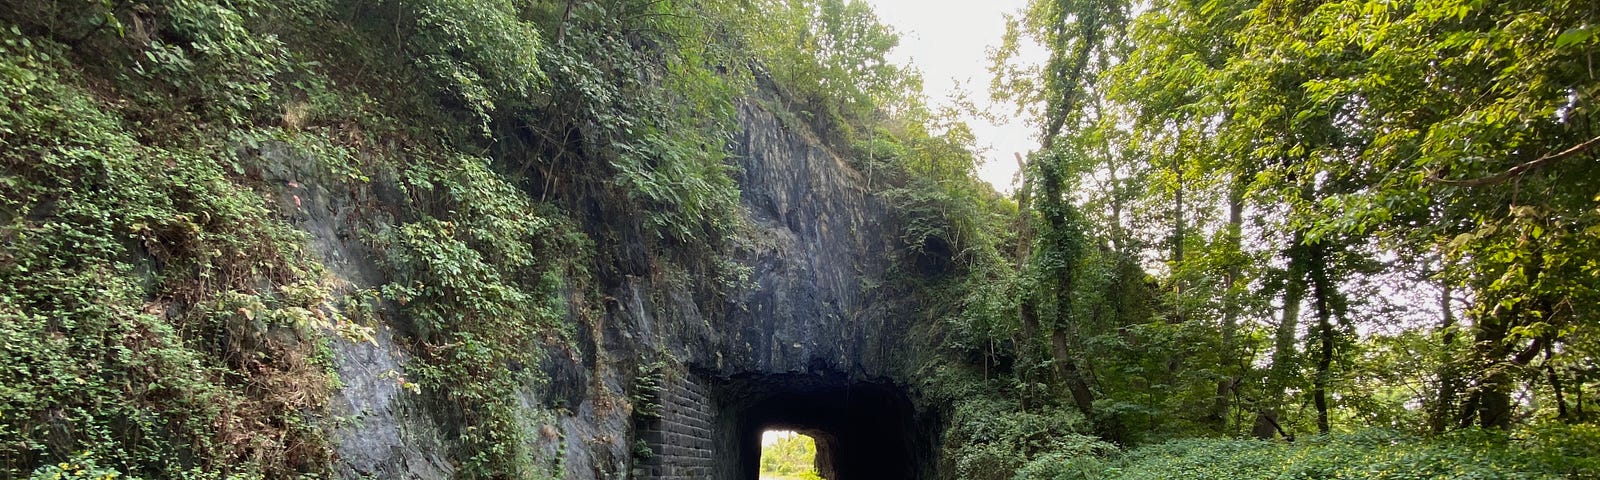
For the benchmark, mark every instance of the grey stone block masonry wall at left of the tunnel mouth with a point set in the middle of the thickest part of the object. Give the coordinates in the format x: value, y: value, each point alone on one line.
x: 681, y: 439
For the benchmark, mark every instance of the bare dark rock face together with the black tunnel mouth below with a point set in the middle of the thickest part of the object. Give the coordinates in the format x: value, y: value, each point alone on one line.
x: 817, y: 348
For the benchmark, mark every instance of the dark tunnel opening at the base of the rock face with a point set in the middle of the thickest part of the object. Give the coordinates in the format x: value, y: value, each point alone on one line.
x: 863, y: 430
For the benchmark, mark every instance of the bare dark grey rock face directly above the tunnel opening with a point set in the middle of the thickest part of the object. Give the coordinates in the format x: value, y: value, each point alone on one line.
x: 823, y: 241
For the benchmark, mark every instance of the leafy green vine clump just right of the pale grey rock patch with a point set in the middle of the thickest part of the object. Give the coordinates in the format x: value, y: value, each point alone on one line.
x: 474, y: 284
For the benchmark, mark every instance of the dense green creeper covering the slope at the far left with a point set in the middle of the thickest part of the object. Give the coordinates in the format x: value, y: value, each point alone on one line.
x: 158, y: 321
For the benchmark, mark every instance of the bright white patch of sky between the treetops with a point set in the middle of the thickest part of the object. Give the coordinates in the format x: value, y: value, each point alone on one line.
x: 948, y: 41
